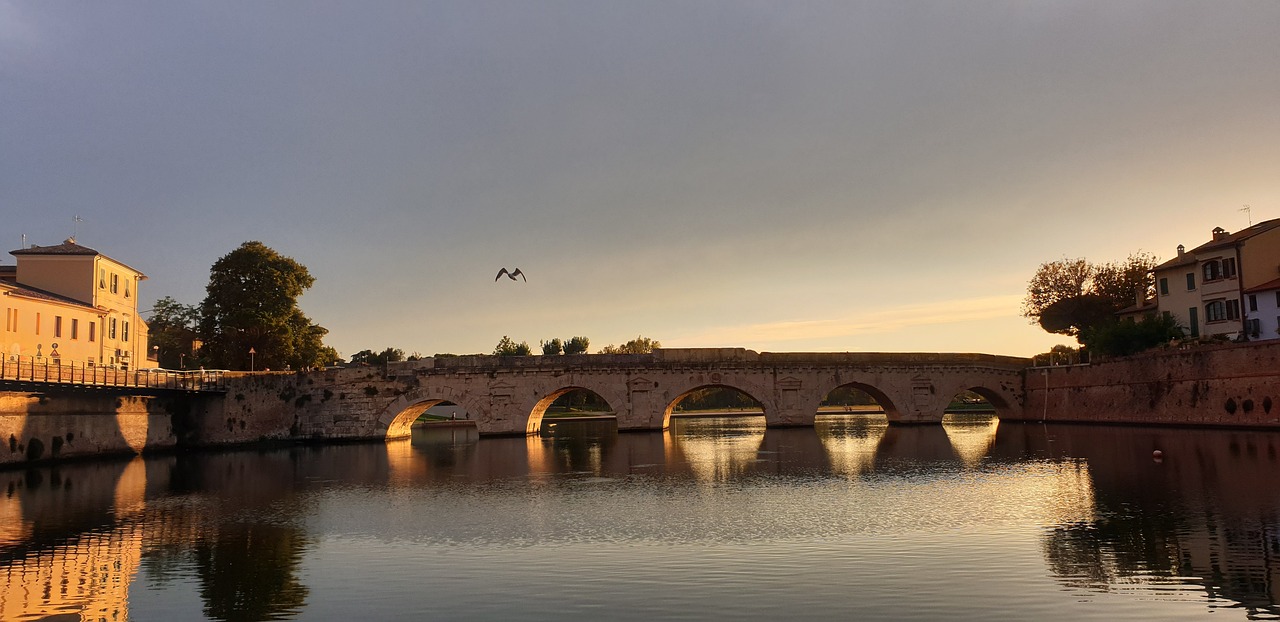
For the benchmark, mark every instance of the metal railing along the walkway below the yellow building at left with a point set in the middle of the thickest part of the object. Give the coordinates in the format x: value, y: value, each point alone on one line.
x: 28, y: 369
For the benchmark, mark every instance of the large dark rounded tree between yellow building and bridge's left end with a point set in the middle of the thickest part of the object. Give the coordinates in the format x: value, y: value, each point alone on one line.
x: 252, y: 304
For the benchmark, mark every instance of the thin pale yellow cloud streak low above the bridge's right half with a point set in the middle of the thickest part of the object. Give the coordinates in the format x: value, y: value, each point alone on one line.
x: 885, y: 321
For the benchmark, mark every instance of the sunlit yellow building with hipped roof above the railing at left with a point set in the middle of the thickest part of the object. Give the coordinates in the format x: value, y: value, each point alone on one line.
x: 72, y: 304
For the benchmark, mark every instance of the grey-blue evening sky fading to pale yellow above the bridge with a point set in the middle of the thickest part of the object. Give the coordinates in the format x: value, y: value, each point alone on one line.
x: 819, y: 176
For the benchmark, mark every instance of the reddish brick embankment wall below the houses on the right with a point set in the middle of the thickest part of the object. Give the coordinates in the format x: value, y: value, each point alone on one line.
x: 1217, y: 386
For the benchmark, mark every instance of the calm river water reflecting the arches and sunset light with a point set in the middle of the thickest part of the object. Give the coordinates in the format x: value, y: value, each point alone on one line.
x: 717, y: 519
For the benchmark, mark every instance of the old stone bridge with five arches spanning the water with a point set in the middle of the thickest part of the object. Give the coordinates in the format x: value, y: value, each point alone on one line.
x: 509, y: 396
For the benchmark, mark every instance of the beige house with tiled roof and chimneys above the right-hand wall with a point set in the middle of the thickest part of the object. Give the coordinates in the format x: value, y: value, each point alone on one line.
x: 1222, y: 287
